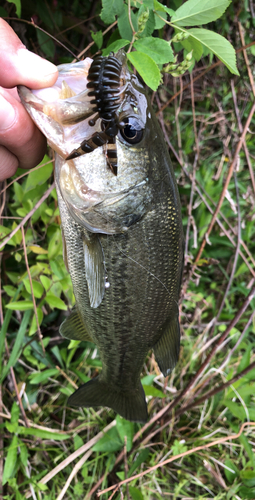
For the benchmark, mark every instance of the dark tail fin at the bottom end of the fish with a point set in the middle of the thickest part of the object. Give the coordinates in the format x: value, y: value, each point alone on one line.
x: 130, y: 405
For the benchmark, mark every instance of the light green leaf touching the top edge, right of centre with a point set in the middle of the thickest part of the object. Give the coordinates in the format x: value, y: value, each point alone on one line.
x: 197, y: 12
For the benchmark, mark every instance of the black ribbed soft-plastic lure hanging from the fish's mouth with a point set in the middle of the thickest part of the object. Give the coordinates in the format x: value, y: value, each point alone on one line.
x: 104, y: 82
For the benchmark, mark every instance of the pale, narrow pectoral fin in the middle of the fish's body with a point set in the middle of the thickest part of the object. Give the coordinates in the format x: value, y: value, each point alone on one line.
x: 94, y: 269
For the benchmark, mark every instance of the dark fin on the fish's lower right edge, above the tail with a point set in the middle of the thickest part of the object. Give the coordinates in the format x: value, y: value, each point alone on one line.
x: 167, y: 348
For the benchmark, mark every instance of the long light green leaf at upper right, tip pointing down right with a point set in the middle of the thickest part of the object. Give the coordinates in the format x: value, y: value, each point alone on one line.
x: 218, y: 45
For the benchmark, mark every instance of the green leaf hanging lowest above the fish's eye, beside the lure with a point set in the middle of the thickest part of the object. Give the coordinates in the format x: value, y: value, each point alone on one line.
x: 146, y: 68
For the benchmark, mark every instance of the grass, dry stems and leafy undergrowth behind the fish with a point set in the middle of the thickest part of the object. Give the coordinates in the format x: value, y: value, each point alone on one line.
x: 49, y: 450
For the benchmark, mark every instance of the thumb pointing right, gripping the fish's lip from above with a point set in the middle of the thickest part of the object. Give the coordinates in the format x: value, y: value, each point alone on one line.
x: 19, y: 66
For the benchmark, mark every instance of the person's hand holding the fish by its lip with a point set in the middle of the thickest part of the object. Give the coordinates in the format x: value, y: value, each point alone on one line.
x: 21, y: 142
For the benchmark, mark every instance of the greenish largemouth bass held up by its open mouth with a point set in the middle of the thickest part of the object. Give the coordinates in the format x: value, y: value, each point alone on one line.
x: 122, y: 234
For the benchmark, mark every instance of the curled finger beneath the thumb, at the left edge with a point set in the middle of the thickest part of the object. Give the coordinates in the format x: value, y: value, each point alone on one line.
x: 18, y: 133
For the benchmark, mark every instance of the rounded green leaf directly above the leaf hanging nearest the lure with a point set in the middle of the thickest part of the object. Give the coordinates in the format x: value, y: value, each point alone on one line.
x: 159, y: 50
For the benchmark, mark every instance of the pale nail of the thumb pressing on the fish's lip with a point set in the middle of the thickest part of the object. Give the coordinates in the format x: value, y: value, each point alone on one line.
x: 33, y: 66
